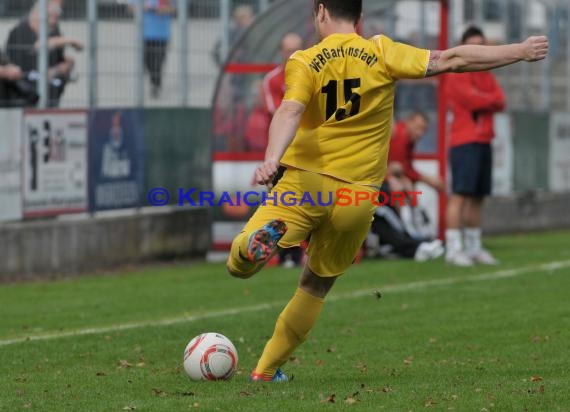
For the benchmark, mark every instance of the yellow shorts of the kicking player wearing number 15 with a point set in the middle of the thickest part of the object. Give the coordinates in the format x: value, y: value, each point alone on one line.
x: 336, y: 231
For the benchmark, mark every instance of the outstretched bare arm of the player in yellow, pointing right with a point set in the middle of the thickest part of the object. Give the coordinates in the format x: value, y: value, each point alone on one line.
x: 470, y: 58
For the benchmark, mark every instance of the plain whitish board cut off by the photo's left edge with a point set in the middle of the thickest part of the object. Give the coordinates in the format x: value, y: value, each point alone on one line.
x: 10, y: 165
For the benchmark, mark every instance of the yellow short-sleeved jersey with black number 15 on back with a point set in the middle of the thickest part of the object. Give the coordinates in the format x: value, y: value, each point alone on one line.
x: 347, y: 85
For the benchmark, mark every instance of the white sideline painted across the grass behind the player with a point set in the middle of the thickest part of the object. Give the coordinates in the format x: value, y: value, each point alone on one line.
x: 501, y: 274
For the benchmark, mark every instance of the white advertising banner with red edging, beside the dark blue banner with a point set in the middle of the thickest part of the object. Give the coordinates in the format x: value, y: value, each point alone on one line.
x: 55, y: 162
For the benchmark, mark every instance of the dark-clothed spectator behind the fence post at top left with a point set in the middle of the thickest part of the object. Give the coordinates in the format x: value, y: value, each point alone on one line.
x: 23, y: 45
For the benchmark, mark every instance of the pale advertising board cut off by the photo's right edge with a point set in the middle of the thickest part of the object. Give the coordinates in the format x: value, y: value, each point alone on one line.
x: 559, y: 158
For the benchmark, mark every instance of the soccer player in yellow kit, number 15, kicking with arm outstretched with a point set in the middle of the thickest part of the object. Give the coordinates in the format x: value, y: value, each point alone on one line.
x: 332, y: 132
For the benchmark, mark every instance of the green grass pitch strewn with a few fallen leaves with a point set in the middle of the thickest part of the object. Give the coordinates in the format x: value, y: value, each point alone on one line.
x: 439, y: 338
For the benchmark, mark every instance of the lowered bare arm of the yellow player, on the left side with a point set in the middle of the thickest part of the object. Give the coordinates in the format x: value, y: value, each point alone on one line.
x: 281, y: 133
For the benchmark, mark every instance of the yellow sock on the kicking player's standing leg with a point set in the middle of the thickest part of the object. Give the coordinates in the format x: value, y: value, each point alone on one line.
x: 291, y: 329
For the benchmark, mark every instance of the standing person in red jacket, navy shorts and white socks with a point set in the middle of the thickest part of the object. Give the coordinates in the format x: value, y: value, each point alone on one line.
x: 473, y: 98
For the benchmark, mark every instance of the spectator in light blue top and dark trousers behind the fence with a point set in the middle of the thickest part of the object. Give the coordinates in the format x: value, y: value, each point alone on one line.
x: 156, y: 33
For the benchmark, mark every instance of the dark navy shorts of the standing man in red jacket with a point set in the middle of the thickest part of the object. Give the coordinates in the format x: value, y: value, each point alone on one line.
x: 471, y: 166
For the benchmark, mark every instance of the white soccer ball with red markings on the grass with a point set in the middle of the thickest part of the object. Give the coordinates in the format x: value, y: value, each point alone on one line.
x: 210, y: 356
